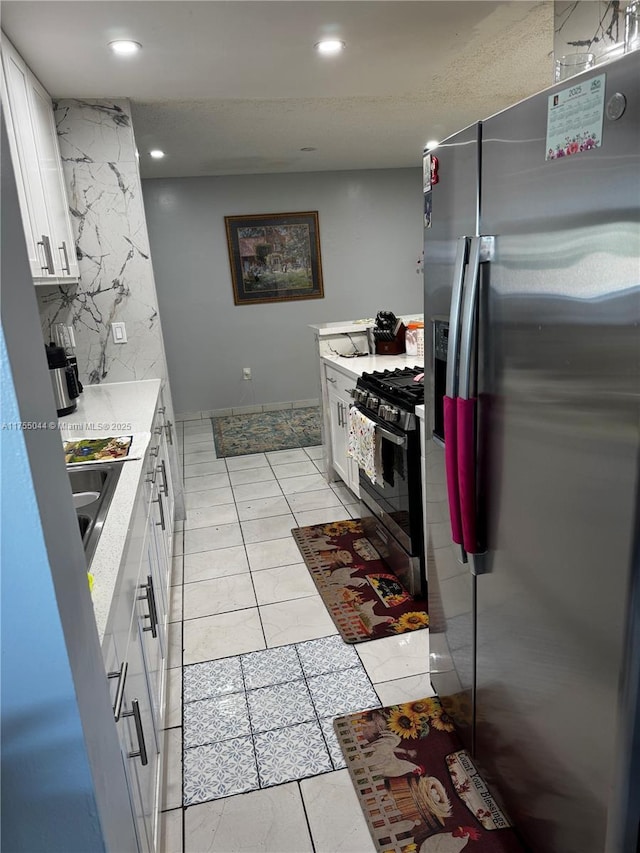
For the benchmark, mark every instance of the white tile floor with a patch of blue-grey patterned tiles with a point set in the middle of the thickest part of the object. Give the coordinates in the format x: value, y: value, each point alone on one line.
x: 239, y: 588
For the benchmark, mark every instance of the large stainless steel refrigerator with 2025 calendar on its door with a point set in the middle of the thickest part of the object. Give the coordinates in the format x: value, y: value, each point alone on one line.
x: 532, y: 306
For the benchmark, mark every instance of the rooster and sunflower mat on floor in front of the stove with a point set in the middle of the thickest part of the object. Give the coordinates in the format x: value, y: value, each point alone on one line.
x: 364, y: 599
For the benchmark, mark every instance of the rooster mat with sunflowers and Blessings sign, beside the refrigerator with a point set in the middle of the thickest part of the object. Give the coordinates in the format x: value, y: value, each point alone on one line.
x: 417, y: 786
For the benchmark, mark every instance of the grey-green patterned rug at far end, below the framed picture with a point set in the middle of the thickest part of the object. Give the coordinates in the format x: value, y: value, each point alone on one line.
x: 235, y: 435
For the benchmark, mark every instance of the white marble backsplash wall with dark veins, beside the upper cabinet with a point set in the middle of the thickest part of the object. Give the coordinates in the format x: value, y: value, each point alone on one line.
x: 98, y: 151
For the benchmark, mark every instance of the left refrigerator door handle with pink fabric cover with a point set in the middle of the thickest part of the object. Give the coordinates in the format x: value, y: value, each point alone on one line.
x: 449, y: 402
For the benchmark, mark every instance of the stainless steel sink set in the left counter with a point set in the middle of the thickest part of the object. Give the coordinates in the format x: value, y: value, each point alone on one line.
x: 92, y: 487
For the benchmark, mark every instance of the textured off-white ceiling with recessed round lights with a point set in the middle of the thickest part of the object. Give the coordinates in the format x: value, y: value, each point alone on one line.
x: 228, y: 88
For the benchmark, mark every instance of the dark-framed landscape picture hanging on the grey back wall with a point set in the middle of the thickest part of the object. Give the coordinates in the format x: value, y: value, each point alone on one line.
x: 274, y: 257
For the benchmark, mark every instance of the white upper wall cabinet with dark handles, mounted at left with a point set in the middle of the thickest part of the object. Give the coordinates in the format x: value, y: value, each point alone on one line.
x: 36, y: 161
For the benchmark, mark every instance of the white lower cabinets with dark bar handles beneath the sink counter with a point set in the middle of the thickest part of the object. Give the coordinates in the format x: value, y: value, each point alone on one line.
x: 135, y: 643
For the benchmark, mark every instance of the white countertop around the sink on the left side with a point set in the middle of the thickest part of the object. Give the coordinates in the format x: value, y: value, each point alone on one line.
x: 118, y: 408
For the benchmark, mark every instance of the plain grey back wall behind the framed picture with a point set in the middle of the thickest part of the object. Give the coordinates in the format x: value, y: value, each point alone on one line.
x: 370, y: 237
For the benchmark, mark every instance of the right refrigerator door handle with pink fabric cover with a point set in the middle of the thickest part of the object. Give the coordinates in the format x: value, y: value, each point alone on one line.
x: 482, y: 250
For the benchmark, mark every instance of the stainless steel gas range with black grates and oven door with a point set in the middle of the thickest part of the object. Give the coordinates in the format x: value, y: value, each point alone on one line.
x: 392, y: 513
